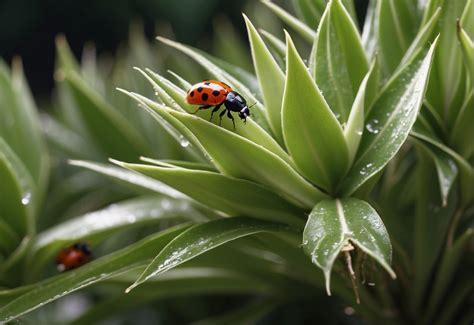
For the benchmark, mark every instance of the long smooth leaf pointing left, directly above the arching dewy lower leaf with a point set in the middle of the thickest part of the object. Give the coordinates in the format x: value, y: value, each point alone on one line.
x: 231, y: 195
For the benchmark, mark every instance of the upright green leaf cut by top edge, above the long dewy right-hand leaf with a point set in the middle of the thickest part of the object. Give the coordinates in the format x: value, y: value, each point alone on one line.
x: 397, y: 19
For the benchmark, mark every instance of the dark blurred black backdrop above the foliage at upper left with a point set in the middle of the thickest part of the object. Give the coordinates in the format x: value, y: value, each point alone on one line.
x: 28, y: 27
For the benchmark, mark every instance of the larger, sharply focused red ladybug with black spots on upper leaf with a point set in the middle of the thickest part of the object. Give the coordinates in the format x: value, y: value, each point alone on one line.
x: 213, y: 93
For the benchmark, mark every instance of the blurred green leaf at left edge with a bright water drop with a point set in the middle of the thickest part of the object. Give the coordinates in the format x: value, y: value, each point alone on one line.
x: 18, y: 196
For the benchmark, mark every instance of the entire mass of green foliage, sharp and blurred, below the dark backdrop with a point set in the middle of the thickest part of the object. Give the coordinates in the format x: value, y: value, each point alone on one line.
x: 354, y: 176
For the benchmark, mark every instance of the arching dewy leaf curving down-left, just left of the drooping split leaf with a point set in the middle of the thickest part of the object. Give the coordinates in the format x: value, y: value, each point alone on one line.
x: 202, y: 238
